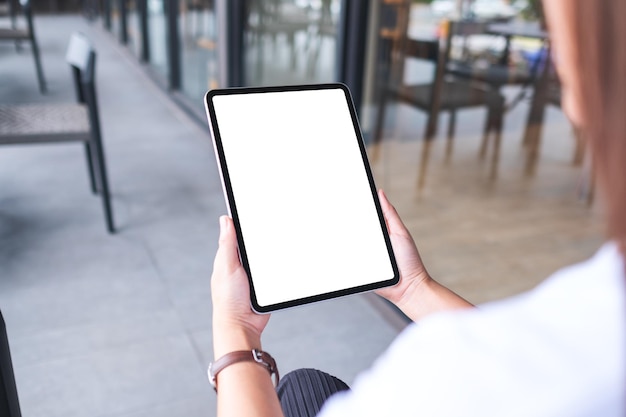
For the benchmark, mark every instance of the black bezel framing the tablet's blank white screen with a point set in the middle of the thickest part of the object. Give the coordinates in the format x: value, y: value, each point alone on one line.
x: 230, y: 201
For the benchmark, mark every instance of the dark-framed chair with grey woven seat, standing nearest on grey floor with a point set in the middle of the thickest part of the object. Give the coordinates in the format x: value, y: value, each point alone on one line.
x: 63, y: 122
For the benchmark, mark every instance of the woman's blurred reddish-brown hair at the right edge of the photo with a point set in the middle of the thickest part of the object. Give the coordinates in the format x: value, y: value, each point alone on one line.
x: 599, y: 31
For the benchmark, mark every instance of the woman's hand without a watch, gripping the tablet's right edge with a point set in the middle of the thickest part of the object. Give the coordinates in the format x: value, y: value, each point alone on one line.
x: 417, y: 294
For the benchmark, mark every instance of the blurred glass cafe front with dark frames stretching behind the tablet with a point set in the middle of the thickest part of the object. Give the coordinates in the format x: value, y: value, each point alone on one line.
x: 458, y: 101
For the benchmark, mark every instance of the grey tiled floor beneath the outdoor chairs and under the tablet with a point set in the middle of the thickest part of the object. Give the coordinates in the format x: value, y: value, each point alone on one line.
x: 119, y: 325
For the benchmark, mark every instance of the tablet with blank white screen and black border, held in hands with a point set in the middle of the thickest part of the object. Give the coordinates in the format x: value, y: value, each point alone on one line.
x: 300, y: 191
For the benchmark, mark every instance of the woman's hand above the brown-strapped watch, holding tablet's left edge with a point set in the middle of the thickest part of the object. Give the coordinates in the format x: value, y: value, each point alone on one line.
x: 235, y: 325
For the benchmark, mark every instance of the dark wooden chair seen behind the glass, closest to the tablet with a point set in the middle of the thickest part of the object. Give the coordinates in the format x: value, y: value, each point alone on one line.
x: 444, y: 93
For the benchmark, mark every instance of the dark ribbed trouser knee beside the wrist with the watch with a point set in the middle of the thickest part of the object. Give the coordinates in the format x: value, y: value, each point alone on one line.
x: 303, y: 392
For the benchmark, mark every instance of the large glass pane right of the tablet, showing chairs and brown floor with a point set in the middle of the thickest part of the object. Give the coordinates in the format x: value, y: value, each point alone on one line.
x: 472, y: 145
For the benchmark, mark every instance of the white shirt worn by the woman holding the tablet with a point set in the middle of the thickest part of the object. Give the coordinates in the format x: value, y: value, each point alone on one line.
x: 558, y: 350
